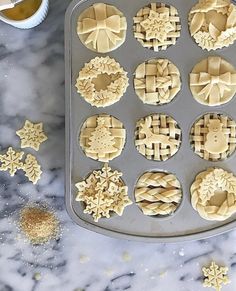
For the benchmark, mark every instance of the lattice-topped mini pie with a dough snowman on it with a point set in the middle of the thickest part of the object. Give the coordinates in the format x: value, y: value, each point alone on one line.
x: 213, y: 137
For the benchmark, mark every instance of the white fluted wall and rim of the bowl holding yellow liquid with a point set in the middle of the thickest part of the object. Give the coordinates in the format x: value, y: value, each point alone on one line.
x: 32, y: 21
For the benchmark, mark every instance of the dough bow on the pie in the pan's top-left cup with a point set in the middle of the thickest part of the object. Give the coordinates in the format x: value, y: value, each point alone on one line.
x: 102, y: 30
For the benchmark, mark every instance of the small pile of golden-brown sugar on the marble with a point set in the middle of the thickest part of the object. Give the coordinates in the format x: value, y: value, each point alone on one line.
x: 38, y: 224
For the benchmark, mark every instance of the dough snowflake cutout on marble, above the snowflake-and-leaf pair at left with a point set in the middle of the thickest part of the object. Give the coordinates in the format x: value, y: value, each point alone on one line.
x: 31, y: 135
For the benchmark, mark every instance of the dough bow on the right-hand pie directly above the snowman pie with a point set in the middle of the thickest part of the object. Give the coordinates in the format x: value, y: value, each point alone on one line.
x: 214, y: 83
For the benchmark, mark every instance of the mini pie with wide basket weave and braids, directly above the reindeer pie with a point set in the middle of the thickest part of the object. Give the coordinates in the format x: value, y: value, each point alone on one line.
x: 157, y: 81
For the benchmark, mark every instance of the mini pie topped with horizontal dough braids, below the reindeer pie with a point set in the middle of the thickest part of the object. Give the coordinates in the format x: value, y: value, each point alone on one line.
x: 158, y: 193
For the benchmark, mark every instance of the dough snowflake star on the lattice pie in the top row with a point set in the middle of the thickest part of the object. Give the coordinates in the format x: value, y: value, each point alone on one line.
x: 157, y: 26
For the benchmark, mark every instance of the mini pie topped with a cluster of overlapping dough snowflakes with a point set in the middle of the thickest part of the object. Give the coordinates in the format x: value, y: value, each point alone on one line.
x: 103, y: 192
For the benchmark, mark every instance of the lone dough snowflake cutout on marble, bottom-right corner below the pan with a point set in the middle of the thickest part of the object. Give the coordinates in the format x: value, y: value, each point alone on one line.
x: 215, y: 276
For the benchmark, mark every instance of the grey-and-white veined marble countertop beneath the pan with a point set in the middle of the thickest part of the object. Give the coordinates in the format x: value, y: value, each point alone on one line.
x: 32, y: 87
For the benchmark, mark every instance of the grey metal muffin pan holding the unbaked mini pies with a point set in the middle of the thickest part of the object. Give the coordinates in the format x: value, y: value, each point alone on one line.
x: 185, y: 224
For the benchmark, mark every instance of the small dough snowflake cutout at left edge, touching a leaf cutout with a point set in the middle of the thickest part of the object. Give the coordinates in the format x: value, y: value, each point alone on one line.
x: 11, y: 161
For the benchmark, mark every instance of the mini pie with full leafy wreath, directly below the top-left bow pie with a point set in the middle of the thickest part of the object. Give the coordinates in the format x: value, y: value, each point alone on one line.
x: 102, y: 82
